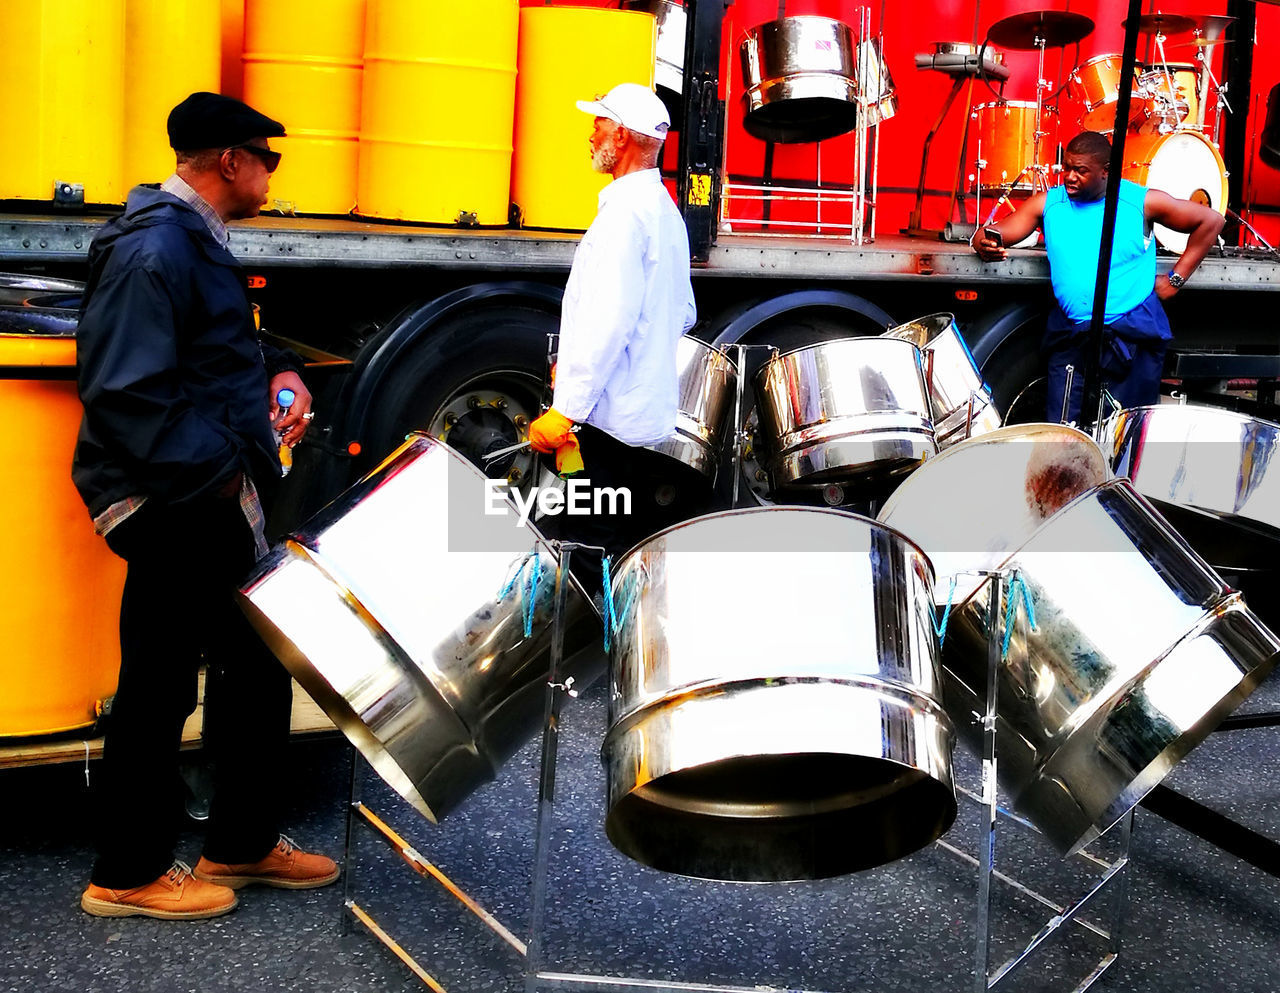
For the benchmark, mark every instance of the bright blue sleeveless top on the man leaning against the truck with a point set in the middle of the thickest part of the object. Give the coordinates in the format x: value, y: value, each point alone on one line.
x: 1073, y: 235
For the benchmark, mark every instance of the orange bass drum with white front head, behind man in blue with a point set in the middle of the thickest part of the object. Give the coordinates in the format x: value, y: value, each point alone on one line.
x: 1183, y: 164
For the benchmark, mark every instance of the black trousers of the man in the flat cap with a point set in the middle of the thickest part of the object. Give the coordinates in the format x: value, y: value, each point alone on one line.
x: 177, y: 607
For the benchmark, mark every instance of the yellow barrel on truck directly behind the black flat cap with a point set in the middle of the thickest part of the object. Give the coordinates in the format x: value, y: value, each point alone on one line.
x: 171, y: 52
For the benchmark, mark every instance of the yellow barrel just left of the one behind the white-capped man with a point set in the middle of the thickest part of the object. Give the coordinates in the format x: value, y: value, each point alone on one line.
x: 440, y: 98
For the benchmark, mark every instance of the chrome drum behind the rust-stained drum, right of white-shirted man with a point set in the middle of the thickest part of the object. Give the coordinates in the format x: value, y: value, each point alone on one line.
x: 845, y: 410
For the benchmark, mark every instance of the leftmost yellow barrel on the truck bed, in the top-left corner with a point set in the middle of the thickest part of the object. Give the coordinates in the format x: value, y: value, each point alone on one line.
x: 62, y: 98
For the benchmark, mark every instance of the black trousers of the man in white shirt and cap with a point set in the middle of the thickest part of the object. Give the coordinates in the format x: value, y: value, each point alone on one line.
x: 664, y: 492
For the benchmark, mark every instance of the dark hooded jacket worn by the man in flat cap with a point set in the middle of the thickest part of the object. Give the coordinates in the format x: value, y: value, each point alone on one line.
x: 171, y: 370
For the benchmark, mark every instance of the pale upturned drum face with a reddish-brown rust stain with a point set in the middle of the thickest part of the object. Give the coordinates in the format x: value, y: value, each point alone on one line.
x: 977, y: 502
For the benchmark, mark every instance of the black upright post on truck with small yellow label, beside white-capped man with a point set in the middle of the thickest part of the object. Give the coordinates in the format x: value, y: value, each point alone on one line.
x: 702, y: 132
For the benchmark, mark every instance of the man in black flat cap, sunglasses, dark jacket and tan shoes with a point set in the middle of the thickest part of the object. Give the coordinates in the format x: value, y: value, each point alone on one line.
x: 177, y: 451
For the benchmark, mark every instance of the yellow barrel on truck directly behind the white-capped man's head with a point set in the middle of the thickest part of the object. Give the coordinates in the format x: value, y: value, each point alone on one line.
x: 570, y: 54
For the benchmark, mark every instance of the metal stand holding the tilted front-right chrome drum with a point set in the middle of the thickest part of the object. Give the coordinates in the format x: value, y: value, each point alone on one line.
x: 1113, y: 875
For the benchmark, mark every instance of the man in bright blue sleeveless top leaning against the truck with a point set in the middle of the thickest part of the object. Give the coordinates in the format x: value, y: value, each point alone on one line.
x: 1137, y: 332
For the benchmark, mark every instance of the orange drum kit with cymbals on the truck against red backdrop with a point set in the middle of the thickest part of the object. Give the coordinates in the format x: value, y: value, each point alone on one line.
x: 1169, y: 144
